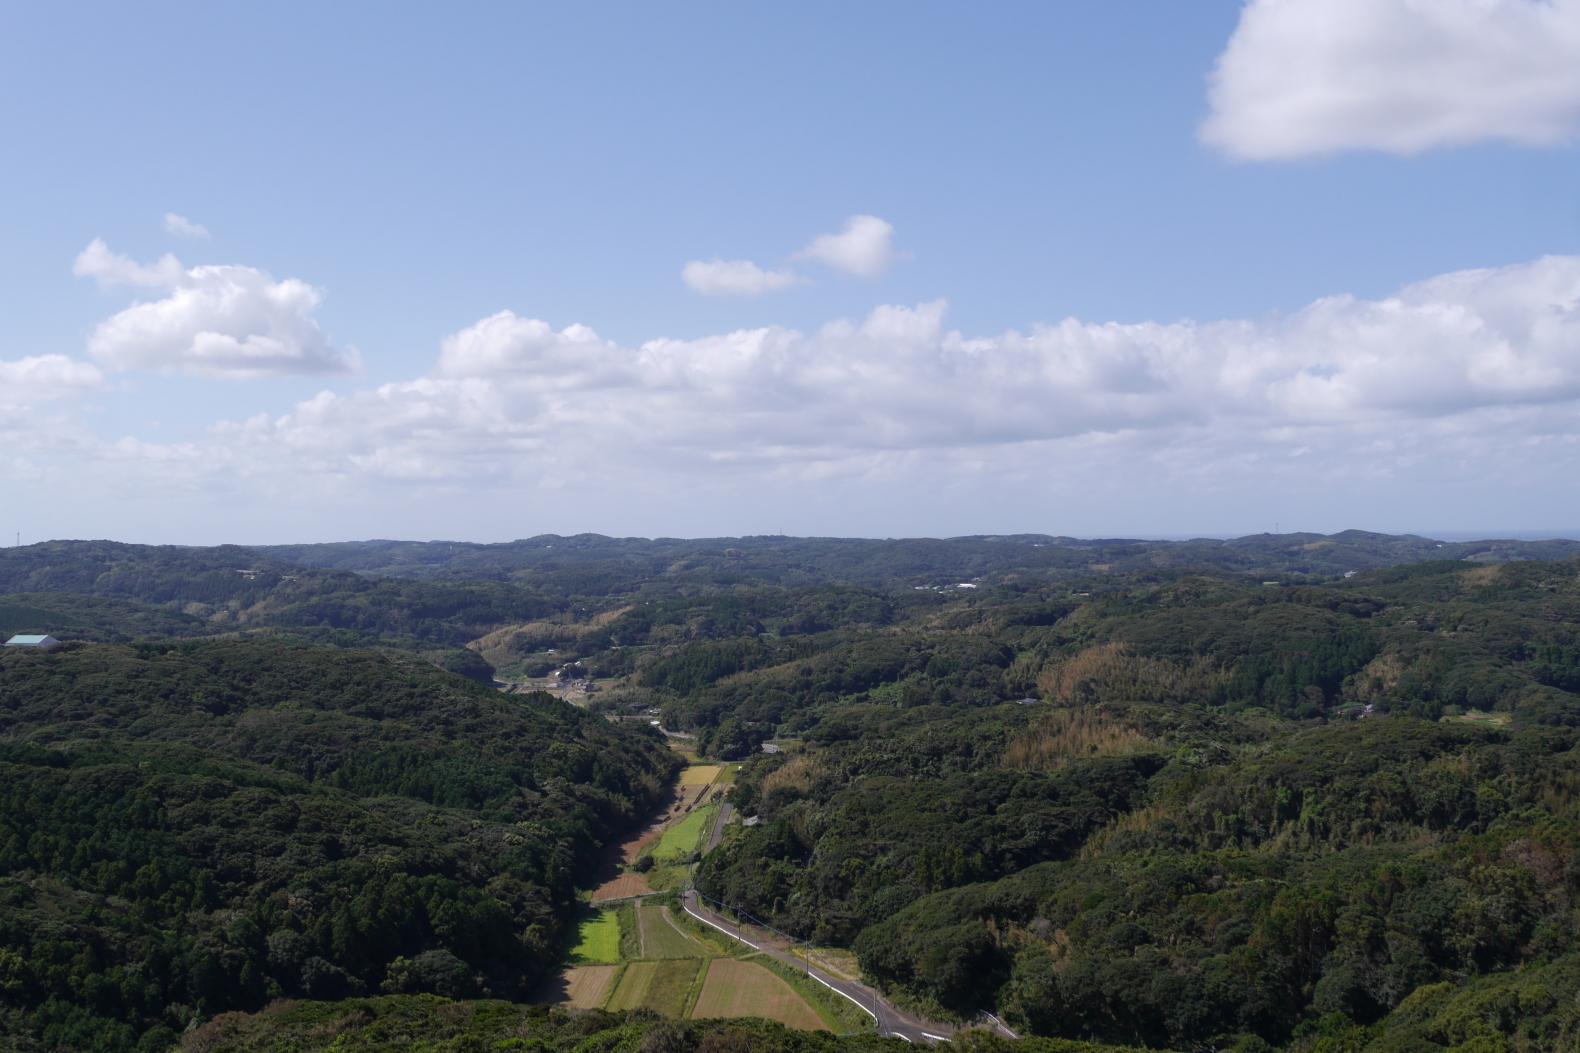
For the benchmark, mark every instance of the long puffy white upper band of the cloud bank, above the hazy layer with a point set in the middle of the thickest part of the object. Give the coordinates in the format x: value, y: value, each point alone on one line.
x: 1448, y: 360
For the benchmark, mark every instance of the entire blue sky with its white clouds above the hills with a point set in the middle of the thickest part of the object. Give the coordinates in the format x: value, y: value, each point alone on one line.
x: 418, y: 172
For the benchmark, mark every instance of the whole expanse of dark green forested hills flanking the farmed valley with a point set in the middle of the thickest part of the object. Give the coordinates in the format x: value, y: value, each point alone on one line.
x: 1298, y: 793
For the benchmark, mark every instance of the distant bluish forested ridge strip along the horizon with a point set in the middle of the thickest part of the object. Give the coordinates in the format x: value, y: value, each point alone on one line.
x: 595, y: 565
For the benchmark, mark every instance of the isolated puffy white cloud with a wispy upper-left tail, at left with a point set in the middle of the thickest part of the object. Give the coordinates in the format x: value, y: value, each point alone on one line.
x: 213, y: 322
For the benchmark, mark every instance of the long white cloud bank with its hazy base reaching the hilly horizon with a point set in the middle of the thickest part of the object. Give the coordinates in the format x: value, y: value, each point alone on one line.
x: 1465, y: 383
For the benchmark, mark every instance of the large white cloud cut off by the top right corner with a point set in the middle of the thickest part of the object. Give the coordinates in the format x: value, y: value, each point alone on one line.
x: 1304, y: 78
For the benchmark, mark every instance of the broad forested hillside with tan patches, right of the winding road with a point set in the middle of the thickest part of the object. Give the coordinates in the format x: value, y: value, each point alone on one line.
x: 1225, y: 815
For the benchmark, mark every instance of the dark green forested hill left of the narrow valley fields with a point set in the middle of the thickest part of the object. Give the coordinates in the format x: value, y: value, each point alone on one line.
x: 198, y: 828
